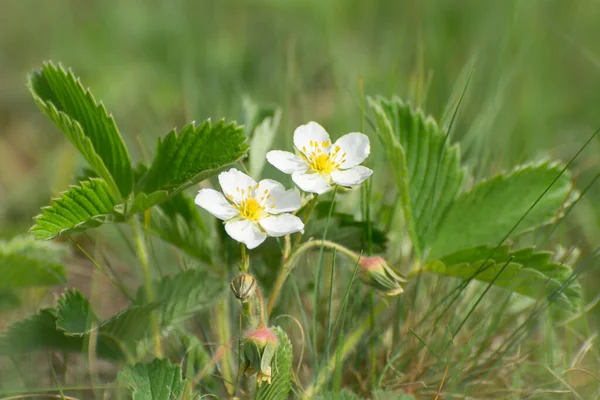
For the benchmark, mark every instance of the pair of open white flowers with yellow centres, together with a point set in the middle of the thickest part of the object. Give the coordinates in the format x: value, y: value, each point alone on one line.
x: 253, y: 211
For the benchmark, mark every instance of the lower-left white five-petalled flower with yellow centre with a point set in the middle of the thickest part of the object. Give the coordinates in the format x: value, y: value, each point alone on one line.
x: 252, y: 211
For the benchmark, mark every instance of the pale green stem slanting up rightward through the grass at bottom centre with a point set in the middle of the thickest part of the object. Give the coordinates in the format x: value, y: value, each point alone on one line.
x: 350, y: 343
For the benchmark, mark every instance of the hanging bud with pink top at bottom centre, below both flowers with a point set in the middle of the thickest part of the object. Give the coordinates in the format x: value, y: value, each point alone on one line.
x: 258, y: 351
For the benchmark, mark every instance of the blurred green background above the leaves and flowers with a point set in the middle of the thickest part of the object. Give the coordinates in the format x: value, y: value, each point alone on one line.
x: 535, y: 90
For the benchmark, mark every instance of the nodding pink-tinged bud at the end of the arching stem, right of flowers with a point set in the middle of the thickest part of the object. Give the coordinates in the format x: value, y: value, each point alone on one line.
x: 375, y: 272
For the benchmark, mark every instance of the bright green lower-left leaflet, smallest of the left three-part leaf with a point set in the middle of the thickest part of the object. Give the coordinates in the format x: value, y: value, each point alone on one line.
x: 79, y: 208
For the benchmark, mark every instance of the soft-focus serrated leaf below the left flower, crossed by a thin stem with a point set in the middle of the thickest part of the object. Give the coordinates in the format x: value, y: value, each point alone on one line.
x: 183, y: 295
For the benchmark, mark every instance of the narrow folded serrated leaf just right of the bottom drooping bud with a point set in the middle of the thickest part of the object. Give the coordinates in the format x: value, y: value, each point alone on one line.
x: 281, y: 367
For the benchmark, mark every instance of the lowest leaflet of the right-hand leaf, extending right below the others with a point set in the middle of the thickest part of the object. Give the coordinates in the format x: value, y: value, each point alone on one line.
x: 530, y: 273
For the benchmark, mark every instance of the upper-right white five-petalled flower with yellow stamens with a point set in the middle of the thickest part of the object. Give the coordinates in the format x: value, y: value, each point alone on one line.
x: 318, y: 164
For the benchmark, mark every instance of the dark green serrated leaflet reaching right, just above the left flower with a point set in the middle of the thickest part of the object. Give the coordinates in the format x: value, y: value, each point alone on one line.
x: 192, y: 155
